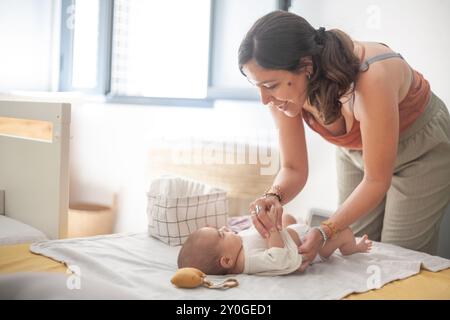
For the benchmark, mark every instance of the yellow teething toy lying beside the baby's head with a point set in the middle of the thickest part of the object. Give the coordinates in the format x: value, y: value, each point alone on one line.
x: 193, y: 278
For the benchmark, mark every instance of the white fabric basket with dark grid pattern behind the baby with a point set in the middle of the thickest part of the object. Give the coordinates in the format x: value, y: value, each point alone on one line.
x: 178, y: 206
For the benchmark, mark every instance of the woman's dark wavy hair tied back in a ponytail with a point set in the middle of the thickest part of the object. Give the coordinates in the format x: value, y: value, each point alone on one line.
x: 280, y: 39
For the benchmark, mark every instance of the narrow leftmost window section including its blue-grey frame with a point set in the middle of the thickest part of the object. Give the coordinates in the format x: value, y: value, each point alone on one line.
x: 85, y: 45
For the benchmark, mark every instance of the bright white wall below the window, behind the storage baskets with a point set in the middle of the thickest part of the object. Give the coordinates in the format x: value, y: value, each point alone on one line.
x: 110, y: 148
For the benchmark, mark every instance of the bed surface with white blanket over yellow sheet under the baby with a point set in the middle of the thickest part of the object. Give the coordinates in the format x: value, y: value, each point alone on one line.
x: 141, y: 266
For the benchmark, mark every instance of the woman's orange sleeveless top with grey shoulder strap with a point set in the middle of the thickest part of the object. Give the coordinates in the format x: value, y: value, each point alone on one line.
x: 410, y: 108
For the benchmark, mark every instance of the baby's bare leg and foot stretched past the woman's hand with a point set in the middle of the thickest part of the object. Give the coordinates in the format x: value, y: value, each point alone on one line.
x: 346, y: 243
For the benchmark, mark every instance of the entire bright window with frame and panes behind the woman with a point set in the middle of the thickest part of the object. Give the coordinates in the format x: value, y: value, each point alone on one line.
x: 166, y: 52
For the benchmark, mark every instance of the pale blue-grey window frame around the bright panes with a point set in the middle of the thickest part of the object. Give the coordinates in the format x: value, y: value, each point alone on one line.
x: 104, y: 63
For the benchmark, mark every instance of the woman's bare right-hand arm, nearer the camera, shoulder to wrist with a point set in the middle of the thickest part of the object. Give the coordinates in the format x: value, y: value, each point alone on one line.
x: 379, y: 121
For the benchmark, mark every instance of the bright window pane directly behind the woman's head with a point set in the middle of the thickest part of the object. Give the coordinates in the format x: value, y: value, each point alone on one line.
x: 233, y: 18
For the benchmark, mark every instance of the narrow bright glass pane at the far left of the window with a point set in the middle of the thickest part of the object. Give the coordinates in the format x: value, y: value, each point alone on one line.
x: 85, y: 44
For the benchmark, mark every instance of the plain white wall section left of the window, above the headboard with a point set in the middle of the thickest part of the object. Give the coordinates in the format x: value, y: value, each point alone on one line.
x: 26, y: 44
